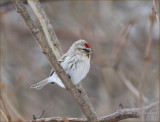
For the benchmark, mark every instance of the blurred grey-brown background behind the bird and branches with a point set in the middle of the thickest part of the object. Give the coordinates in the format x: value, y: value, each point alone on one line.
x: 118, y: 32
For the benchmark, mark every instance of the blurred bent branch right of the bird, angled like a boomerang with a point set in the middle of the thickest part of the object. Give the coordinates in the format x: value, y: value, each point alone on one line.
x: 115, y: 59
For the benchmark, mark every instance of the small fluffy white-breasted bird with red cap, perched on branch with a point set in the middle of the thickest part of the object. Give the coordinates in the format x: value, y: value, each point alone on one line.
x: 75, y: 62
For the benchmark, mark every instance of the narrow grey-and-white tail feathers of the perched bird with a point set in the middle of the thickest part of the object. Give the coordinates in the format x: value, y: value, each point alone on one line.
x: 40, y: 84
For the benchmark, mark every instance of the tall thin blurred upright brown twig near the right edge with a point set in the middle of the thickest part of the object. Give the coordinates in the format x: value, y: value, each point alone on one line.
x: 147, y: 55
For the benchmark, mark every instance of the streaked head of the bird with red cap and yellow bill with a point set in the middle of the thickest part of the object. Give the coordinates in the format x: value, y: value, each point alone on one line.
x: 81, y: 49
